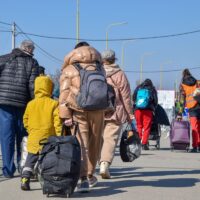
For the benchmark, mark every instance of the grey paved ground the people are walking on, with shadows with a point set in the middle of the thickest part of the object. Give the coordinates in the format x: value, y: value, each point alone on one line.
x: 156, y: 175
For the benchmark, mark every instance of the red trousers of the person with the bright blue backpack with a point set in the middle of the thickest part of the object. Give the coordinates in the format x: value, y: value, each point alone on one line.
x: 144, y: 121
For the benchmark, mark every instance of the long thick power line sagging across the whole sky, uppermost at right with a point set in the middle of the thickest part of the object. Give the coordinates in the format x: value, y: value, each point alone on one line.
x: 113, y: 40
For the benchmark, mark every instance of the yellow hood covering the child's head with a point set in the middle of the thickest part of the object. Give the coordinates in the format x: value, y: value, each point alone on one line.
x: 43, y: 86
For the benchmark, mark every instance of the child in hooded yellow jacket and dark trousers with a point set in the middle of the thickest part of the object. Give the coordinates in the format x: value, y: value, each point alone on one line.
x: 41, y: 120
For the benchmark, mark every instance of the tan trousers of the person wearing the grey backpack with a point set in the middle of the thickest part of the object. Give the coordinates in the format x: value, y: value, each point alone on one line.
x: 91, y: 124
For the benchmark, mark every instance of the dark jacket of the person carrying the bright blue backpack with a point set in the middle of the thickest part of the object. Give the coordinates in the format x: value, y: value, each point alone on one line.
x: 153, y: 99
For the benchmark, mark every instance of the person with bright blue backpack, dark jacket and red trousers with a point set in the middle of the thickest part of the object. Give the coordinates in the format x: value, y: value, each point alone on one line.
x: 145, y: 101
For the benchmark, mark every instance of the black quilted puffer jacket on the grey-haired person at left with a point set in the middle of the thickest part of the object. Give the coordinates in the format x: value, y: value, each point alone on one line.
x: 18, y: 71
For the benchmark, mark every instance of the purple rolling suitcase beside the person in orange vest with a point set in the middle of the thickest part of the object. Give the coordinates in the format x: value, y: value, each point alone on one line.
x: 180, y: 135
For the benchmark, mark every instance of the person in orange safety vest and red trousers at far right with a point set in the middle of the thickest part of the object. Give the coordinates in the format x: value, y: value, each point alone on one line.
x: 187, y: 88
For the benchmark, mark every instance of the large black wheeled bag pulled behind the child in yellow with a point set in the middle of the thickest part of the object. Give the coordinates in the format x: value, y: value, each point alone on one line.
x: 59, y: 164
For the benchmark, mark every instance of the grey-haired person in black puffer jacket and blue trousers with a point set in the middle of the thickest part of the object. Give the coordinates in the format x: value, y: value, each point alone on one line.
x: 18, y: 71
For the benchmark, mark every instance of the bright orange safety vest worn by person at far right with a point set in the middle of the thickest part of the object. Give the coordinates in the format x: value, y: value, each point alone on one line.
x: 189, y: 100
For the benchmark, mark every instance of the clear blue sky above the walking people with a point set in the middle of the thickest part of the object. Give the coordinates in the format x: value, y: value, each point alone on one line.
x: 144, y: 18
